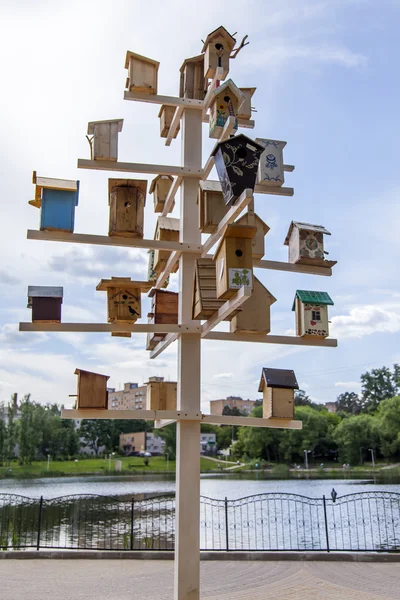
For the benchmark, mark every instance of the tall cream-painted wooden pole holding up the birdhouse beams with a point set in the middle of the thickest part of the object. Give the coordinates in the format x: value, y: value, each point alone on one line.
x: 187, y: 532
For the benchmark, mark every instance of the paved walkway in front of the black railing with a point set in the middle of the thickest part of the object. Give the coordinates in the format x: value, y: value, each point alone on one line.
x: 223, y: 580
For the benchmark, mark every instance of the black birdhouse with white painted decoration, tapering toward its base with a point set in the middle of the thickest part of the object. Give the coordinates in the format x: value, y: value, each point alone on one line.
x: 236, y: 161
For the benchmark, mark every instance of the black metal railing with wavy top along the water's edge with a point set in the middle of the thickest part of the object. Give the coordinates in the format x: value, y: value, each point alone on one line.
x: 368, y: 521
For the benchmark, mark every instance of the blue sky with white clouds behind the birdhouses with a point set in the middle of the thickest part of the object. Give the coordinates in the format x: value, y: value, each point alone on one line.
x: 326, y: 73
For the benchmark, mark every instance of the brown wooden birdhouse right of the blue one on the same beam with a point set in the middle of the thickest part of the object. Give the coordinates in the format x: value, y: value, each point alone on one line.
x: 126, y: 198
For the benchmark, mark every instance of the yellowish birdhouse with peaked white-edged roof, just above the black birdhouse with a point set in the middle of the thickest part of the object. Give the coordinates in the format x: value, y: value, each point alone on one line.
x: 226, y: 101
